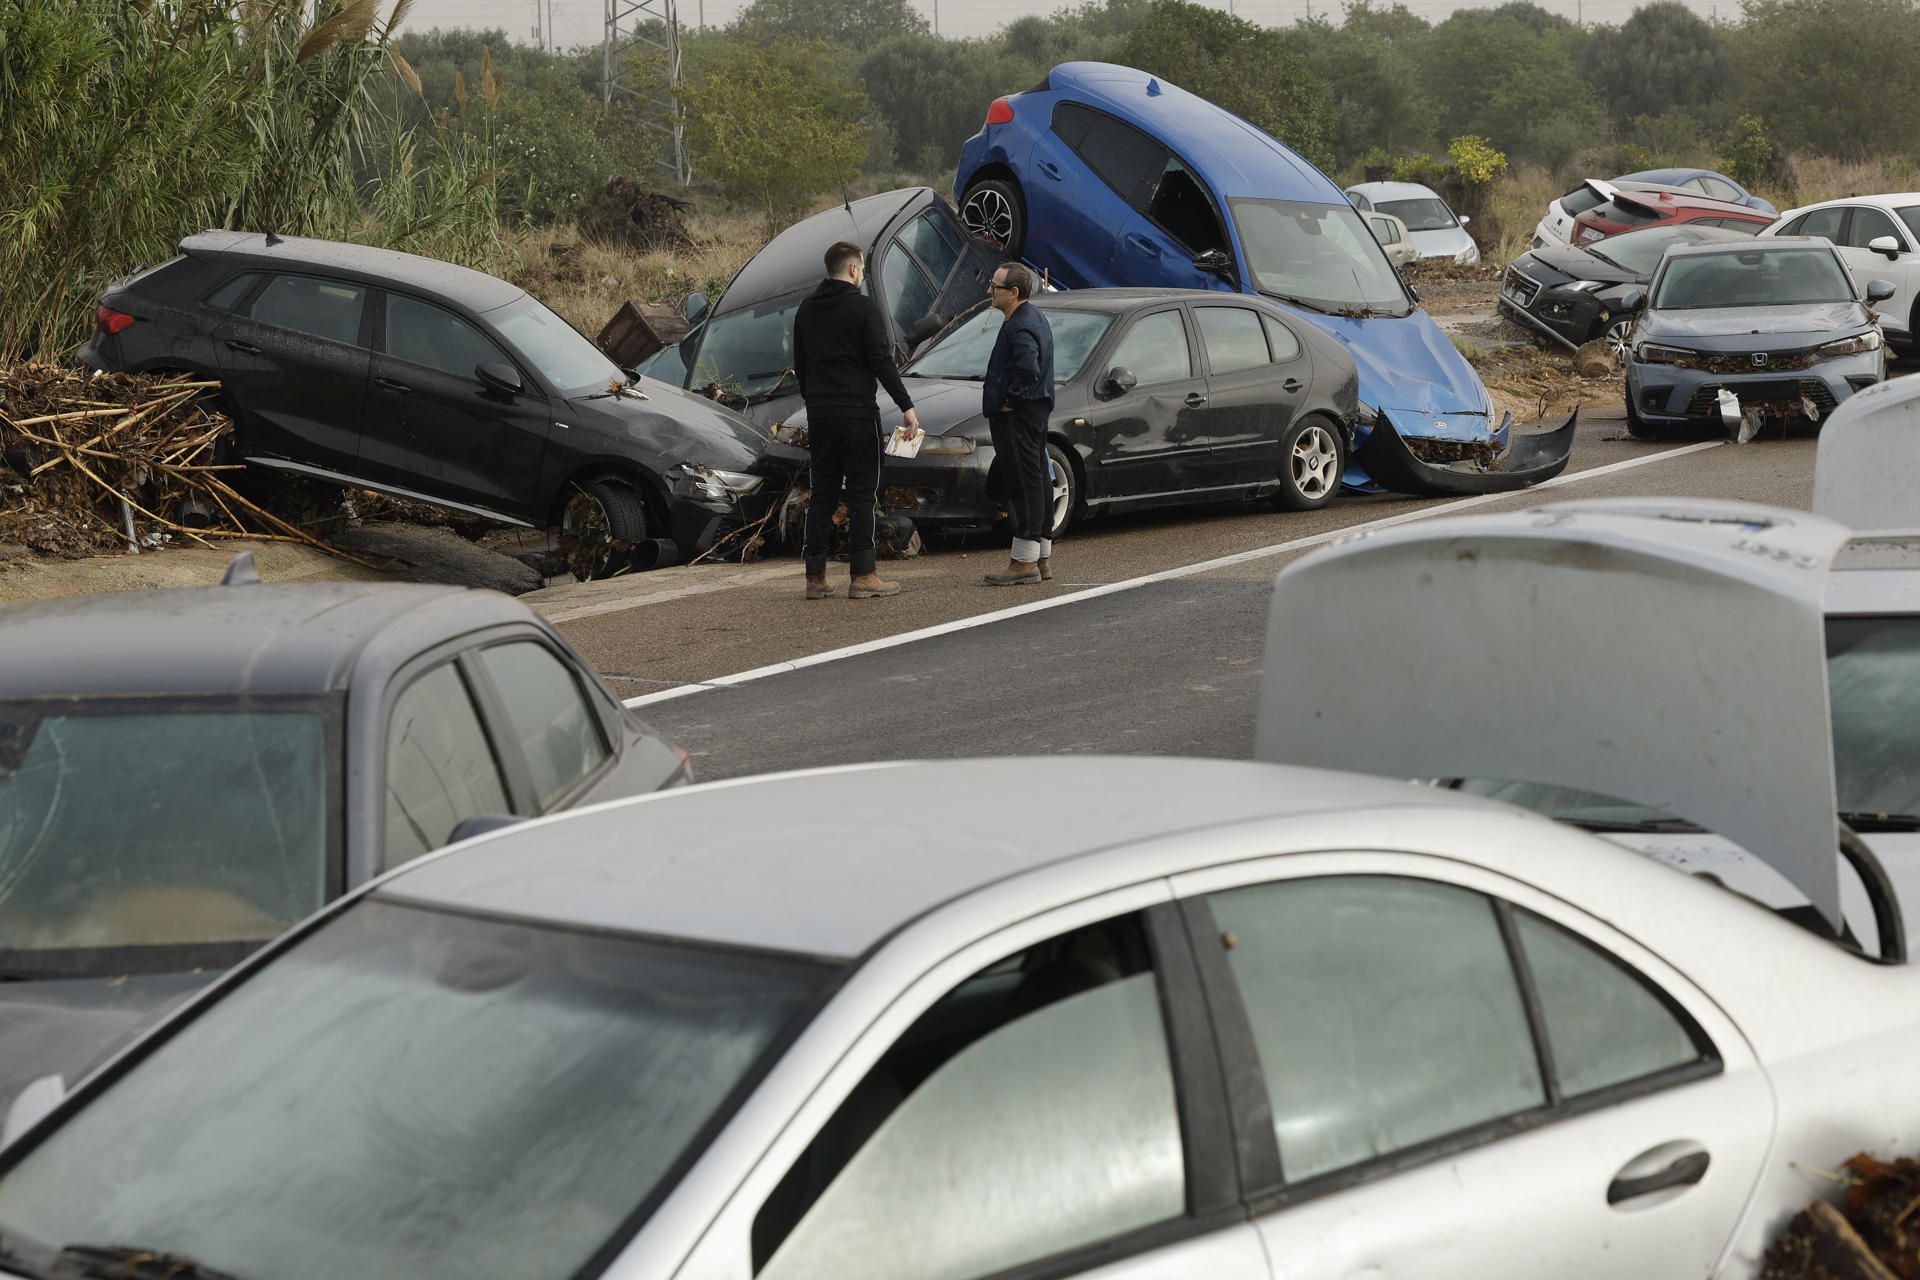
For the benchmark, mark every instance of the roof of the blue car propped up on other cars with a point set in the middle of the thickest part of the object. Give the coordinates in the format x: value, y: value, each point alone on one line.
x: 1232, y: 156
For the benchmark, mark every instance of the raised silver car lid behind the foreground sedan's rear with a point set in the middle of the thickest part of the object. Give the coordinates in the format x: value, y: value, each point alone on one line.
x: 1666, y: 652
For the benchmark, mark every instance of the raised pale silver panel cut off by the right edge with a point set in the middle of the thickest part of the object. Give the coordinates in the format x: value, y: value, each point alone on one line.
x: 1869, y: 458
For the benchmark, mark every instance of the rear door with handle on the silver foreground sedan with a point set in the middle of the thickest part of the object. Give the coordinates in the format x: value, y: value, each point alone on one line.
x: 1466, y: 1078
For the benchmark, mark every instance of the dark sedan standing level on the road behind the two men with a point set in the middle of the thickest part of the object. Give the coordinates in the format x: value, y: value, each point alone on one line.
x: 1163, y: 396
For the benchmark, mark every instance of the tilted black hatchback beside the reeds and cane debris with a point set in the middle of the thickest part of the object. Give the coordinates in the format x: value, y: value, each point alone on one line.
x: 429, y: 381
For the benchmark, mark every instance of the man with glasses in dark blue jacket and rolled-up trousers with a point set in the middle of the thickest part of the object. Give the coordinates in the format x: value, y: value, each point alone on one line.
x: 1019, y: 396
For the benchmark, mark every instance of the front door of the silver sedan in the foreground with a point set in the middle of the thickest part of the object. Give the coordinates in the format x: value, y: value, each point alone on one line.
x: 1045, y: 1102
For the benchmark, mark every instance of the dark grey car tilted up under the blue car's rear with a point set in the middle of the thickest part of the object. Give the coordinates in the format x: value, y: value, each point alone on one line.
x: 923, y: 266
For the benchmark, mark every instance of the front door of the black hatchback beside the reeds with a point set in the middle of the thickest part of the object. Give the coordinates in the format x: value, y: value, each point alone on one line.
x: 437, y: 429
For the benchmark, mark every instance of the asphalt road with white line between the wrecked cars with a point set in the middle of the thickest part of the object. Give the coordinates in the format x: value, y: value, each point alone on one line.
x: 1086, y: 663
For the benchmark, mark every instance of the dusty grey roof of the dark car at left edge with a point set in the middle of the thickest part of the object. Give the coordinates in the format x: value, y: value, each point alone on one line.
x: 256, y: 638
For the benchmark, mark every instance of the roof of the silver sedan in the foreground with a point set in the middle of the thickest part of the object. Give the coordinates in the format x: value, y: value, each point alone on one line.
x: 830, y: 863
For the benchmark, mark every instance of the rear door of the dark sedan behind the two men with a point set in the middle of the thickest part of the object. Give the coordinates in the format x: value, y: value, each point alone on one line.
x: 1253, y: 392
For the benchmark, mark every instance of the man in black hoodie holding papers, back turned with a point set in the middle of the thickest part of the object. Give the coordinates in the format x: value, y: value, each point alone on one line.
x: 840, y: 350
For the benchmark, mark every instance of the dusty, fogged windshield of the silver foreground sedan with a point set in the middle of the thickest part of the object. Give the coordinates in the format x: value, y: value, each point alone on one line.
x: 412, y: 1093
